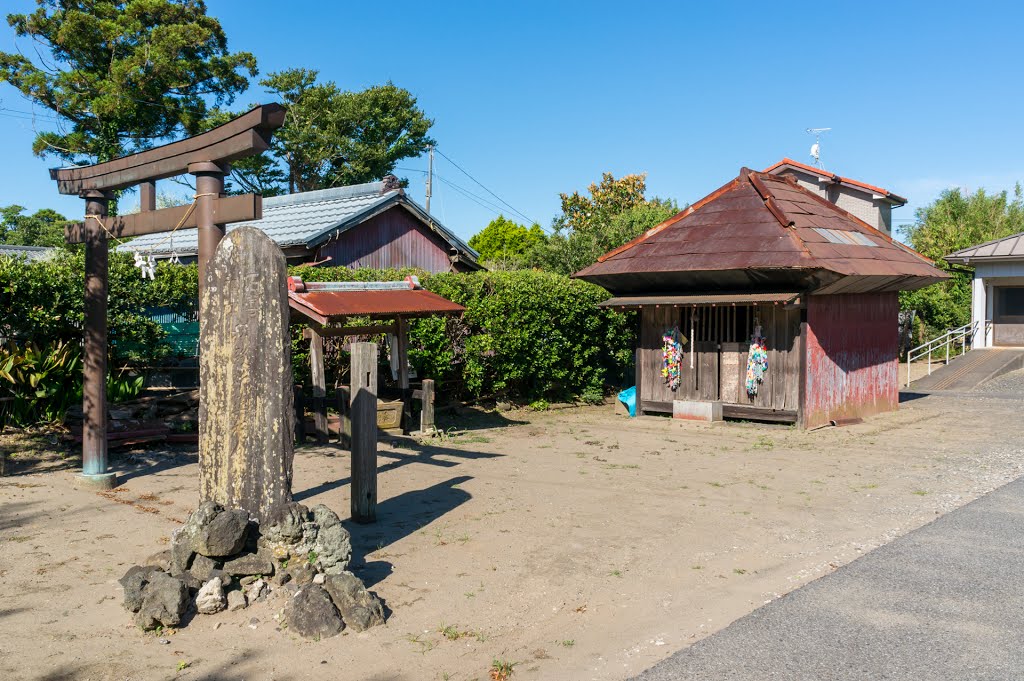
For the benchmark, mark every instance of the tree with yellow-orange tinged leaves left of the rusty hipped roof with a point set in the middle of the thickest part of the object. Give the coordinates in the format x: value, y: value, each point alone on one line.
x: 615, y: 214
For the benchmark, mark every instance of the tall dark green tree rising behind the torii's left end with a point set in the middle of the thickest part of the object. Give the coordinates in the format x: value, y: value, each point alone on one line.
x: 124, y: 74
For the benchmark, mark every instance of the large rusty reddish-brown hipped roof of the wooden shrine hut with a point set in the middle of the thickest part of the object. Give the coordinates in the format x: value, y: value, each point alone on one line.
x: 763, y: 230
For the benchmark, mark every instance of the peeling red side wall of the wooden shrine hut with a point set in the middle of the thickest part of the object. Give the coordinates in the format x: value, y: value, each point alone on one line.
x: 852, y: 365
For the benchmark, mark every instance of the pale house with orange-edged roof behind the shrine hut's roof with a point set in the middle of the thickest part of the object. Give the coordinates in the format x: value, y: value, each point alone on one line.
x: 872, y: 204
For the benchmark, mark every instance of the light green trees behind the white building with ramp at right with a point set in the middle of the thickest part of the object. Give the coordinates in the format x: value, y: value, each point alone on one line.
x: 954, y: 222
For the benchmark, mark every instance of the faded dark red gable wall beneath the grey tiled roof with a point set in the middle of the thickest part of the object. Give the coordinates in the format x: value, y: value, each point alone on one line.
x: 394, y: 239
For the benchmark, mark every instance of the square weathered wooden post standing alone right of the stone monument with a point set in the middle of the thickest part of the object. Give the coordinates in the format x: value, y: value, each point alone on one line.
x: 364, y: 388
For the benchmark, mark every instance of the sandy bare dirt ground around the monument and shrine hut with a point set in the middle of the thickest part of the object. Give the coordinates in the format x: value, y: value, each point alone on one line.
x: 575, y: 544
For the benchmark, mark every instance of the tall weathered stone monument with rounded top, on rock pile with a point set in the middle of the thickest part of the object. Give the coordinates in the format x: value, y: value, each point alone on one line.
x: 246, y: 442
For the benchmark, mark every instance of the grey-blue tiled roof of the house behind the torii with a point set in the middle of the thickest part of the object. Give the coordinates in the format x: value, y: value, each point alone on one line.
x: 305, y: 220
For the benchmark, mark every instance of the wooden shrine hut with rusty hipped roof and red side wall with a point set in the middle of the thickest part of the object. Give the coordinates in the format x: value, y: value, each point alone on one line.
x: 763, y: 253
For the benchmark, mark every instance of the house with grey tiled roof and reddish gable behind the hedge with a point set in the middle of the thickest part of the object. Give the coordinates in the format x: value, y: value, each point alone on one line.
x: 364, y: 226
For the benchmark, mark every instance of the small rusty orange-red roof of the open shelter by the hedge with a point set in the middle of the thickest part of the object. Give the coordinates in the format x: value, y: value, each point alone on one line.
x: 328, y: 307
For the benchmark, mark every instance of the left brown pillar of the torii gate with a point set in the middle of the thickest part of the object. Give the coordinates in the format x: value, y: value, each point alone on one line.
x: 95, y: 462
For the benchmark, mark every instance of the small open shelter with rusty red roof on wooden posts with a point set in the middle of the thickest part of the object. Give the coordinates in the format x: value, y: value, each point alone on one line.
x: 380, y: 308
